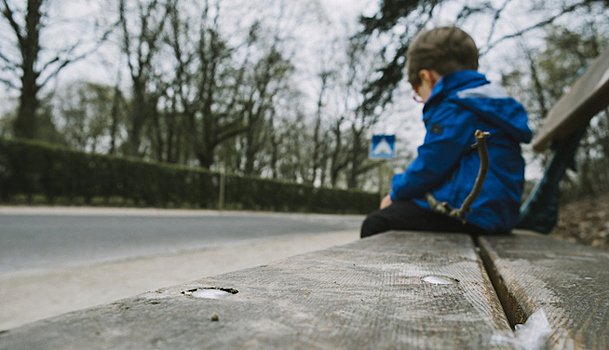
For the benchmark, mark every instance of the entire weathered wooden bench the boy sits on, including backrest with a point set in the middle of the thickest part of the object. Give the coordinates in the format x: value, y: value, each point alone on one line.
x: 398, y: 290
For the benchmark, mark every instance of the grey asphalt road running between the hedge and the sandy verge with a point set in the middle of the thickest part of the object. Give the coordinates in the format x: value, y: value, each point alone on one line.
x: 35, y: 239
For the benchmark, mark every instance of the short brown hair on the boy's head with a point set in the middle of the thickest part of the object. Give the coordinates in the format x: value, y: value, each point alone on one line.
x: 445, y: 50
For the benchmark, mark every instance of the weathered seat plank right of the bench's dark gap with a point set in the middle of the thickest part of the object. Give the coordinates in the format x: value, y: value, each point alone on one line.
x: 569, y: 282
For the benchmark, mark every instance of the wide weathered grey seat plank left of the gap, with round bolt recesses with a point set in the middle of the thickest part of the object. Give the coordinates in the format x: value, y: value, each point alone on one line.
x: 371, y: 294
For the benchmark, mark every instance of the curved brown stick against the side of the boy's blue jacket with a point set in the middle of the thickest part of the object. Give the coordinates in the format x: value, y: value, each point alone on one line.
x: 460, y: 213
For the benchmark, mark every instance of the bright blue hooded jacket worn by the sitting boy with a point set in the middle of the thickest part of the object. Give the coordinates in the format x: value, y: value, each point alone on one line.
x: 447, y: 166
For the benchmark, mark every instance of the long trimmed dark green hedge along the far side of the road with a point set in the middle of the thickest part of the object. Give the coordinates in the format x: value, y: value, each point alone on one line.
x: 33, y: 169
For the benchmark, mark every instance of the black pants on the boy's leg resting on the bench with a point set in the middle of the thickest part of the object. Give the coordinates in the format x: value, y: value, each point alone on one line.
x: 406, y: 215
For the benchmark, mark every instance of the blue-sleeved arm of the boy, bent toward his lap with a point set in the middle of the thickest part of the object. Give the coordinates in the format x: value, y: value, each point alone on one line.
x: 450, y: 134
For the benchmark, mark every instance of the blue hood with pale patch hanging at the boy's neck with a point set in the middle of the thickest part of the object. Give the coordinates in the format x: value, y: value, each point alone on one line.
x: 472, y: 91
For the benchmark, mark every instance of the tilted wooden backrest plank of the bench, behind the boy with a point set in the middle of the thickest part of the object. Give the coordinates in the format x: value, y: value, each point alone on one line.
x: 588, y: 95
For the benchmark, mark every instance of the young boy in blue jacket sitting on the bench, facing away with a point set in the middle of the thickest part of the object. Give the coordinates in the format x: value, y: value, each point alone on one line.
x: 441, y: 67
